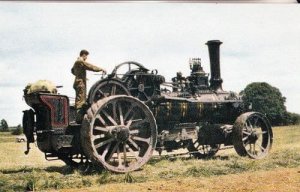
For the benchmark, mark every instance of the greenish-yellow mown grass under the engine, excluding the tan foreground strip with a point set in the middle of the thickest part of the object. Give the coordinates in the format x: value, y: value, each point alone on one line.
x: 19, y: 172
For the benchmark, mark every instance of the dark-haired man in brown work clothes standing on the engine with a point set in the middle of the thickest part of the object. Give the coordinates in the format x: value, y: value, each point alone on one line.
x: 79, y: 70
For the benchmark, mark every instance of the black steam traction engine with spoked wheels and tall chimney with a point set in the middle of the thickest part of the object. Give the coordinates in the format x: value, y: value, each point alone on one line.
x: 133, y: 112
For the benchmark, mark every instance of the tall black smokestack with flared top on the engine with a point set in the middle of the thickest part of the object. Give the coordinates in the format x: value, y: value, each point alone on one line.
x: 214, y: 56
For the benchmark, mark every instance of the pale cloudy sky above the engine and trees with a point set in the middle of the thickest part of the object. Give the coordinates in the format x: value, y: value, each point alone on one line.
x: 261, y: 42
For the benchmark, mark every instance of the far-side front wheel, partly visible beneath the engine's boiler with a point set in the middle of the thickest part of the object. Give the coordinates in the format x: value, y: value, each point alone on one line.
x: 202, y: 151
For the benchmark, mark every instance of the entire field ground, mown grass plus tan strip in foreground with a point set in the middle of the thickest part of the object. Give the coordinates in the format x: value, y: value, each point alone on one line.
x: 279, y: 171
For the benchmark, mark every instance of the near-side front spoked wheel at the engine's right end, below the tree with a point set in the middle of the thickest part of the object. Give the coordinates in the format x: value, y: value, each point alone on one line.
x: 252, y: 135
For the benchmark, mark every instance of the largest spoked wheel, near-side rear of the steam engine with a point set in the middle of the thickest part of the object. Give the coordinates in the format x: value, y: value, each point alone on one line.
x: 119, y: 132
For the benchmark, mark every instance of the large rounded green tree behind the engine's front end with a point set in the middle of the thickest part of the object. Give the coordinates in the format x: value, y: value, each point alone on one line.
x: 266, y: 99
